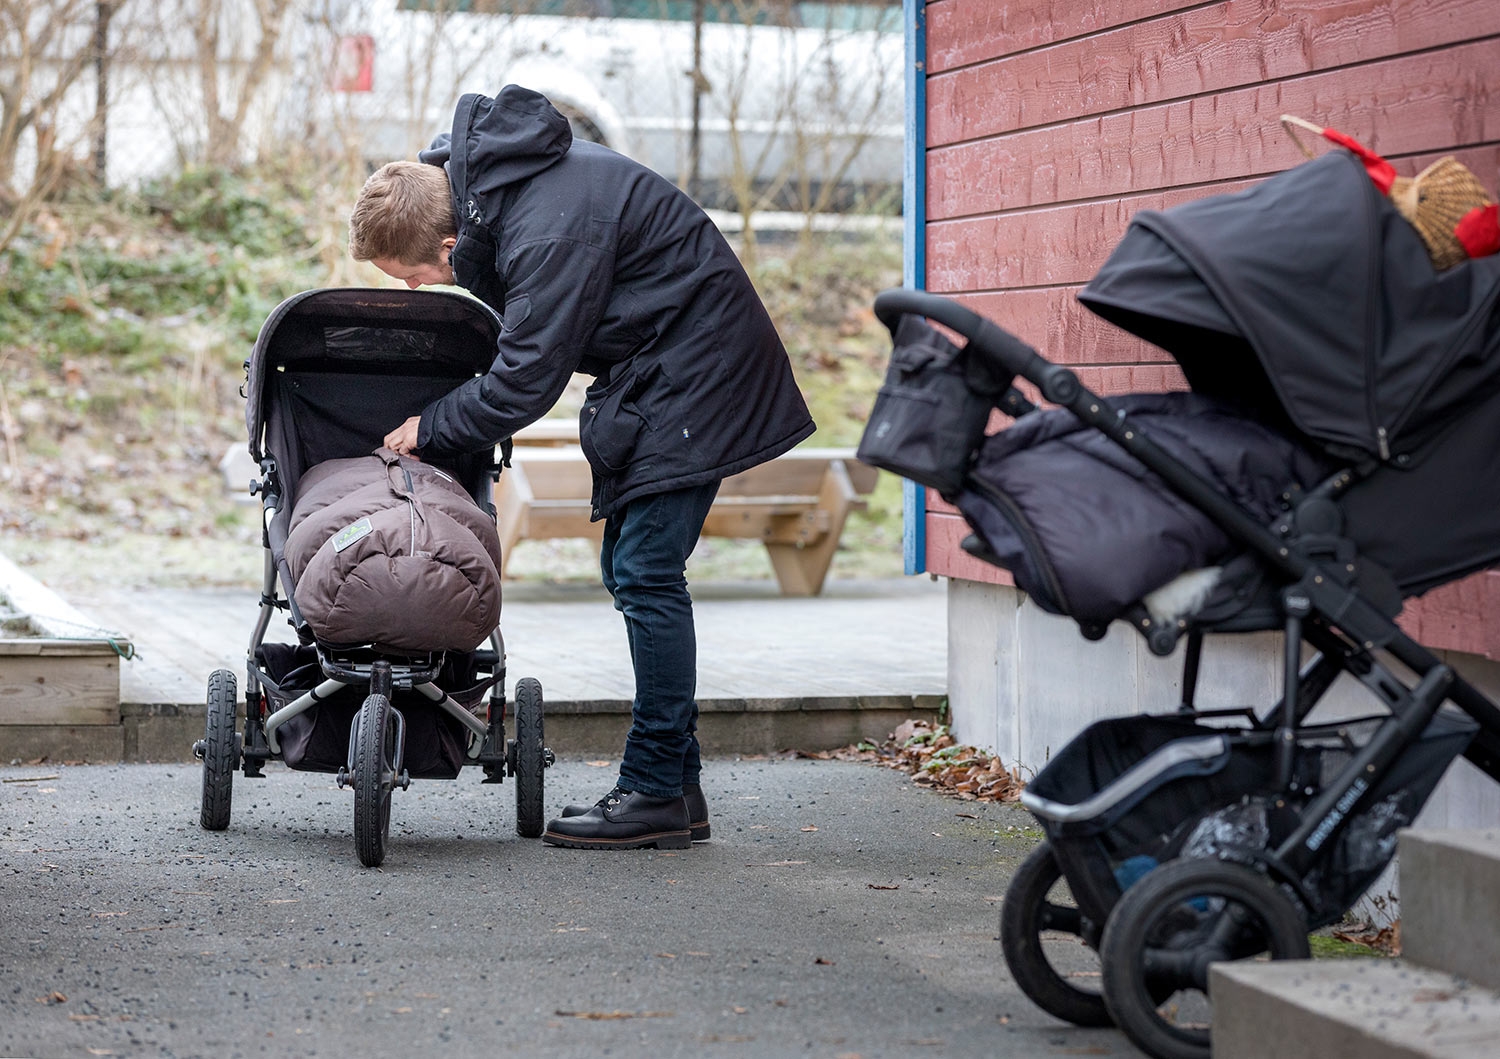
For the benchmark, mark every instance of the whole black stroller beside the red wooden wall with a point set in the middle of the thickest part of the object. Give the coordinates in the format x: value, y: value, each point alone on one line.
x: 1340, y: 452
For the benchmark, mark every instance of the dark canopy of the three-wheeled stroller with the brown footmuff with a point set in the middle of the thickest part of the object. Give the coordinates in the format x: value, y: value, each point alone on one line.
x: 422, y: 343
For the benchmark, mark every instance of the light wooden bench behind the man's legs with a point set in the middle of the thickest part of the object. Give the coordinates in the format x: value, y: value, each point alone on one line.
x: 796, y: 505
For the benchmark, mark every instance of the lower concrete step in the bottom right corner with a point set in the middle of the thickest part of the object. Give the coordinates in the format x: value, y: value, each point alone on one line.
x: 1367, y: 1009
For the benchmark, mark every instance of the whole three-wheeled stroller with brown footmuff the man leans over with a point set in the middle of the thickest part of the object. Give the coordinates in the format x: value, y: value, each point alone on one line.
x: 388, y: 569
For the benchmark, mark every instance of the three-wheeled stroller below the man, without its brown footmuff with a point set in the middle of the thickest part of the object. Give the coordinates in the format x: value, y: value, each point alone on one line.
x: 332, y: 371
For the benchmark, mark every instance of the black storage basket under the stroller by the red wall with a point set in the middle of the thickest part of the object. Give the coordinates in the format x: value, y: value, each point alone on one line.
x: 1133, y: 793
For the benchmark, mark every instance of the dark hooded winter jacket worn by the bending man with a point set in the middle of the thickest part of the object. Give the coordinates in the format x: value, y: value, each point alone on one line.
x: 601, y: 266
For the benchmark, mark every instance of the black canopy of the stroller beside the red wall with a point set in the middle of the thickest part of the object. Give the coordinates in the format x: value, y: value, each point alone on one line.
x: 1310, y: 299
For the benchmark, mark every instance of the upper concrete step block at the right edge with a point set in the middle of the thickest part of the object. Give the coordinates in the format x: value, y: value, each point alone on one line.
x: 1451, y: 904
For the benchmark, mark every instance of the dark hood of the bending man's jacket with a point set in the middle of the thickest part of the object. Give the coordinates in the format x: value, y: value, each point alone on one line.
x: 499, y: 142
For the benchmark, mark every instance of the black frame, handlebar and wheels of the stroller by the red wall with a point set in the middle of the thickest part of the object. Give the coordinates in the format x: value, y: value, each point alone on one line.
x: 1319, y: 607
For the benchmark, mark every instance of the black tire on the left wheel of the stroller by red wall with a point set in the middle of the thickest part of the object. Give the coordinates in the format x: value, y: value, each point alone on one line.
x: 1025, y: 916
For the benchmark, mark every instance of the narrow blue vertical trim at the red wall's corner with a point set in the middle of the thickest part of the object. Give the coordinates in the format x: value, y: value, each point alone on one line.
x: 914, y: 244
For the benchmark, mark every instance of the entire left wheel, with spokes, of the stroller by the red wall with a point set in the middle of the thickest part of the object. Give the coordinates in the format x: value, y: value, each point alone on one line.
x: 1042, y: 929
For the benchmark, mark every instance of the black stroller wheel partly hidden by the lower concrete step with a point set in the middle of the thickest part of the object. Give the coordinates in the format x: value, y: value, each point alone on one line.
x: 1171, y: 926
